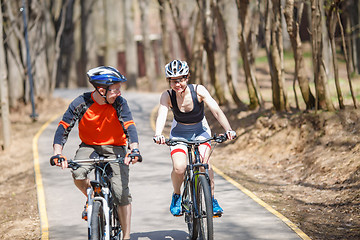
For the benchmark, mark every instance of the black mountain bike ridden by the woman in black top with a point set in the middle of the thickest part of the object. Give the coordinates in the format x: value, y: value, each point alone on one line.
x: 196, y: 196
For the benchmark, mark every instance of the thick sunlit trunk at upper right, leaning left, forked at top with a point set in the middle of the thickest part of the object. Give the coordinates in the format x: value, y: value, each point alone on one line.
x: 300, y: 71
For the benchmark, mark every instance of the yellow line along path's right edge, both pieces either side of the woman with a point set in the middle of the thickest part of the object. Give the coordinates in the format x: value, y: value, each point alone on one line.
x: 246, y: 191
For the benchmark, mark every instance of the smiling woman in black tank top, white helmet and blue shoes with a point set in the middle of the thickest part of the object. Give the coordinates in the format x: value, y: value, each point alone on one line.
x: 187, y: 104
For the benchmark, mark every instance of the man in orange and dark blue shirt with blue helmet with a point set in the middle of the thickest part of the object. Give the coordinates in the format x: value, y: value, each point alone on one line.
x: 105, y: 126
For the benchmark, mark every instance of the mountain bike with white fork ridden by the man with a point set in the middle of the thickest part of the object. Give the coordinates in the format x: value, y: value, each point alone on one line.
x: 102, y: 215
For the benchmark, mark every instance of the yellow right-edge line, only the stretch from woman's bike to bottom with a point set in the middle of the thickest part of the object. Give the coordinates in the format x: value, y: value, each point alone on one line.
x: 263, y: 204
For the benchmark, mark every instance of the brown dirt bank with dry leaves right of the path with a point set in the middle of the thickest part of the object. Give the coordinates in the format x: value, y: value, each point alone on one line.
x: 306, y: 166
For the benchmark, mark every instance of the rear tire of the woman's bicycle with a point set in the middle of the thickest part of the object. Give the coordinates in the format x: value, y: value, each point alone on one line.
x: 188, y: 208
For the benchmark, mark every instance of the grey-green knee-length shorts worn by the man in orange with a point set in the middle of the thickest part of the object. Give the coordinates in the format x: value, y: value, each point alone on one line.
x: 120, y: 178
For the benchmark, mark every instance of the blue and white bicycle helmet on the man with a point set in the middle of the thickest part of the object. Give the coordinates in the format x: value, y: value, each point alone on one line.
x: 105, y: 76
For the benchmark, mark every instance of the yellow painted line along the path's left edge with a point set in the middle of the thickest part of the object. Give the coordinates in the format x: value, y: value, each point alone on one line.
x: 39, y: 185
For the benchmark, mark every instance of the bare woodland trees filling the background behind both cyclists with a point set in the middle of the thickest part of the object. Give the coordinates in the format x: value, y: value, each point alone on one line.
x: 67, y: 37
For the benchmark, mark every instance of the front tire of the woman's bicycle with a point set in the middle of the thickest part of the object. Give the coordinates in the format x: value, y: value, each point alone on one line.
x: 204, y: 204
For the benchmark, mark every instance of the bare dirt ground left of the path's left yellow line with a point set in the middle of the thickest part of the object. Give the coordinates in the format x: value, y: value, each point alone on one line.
x: 18, y: 197
